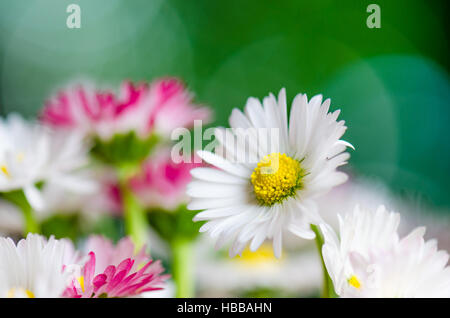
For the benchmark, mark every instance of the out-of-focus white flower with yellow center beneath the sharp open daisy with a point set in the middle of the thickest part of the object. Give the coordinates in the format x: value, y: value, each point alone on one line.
x: 296, y: 272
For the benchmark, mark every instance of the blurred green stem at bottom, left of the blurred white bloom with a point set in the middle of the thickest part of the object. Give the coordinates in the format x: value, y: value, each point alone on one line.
x: 182, y: 263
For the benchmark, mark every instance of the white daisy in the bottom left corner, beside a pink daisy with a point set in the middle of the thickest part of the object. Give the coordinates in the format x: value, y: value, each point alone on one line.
x: 33, y: 268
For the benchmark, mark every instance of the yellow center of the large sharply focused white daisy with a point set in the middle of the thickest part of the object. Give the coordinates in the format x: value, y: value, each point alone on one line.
x: 275, y: 178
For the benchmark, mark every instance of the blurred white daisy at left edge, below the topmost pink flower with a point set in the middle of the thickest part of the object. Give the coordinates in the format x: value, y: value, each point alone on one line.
x: 31, y: 153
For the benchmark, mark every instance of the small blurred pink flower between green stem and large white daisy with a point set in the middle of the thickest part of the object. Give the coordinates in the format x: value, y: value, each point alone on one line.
x: 162, y: 182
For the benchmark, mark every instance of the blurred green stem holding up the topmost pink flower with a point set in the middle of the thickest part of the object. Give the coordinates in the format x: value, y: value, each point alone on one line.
x: 134, y: 214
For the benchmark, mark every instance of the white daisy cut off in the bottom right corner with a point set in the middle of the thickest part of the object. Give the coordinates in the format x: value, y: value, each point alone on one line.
x: 369, y: 259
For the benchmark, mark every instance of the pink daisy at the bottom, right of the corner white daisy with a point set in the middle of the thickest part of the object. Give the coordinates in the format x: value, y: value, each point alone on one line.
x: 115, y: 271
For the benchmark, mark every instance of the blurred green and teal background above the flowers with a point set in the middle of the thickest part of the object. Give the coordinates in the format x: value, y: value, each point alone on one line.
x: 391, y: 83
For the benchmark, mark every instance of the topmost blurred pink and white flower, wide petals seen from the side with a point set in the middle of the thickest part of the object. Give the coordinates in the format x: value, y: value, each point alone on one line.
x: 159, y: 107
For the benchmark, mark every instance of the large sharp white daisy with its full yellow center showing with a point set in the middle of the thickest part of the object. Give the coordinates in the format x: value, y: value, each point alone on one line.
x: 261, y: 185
